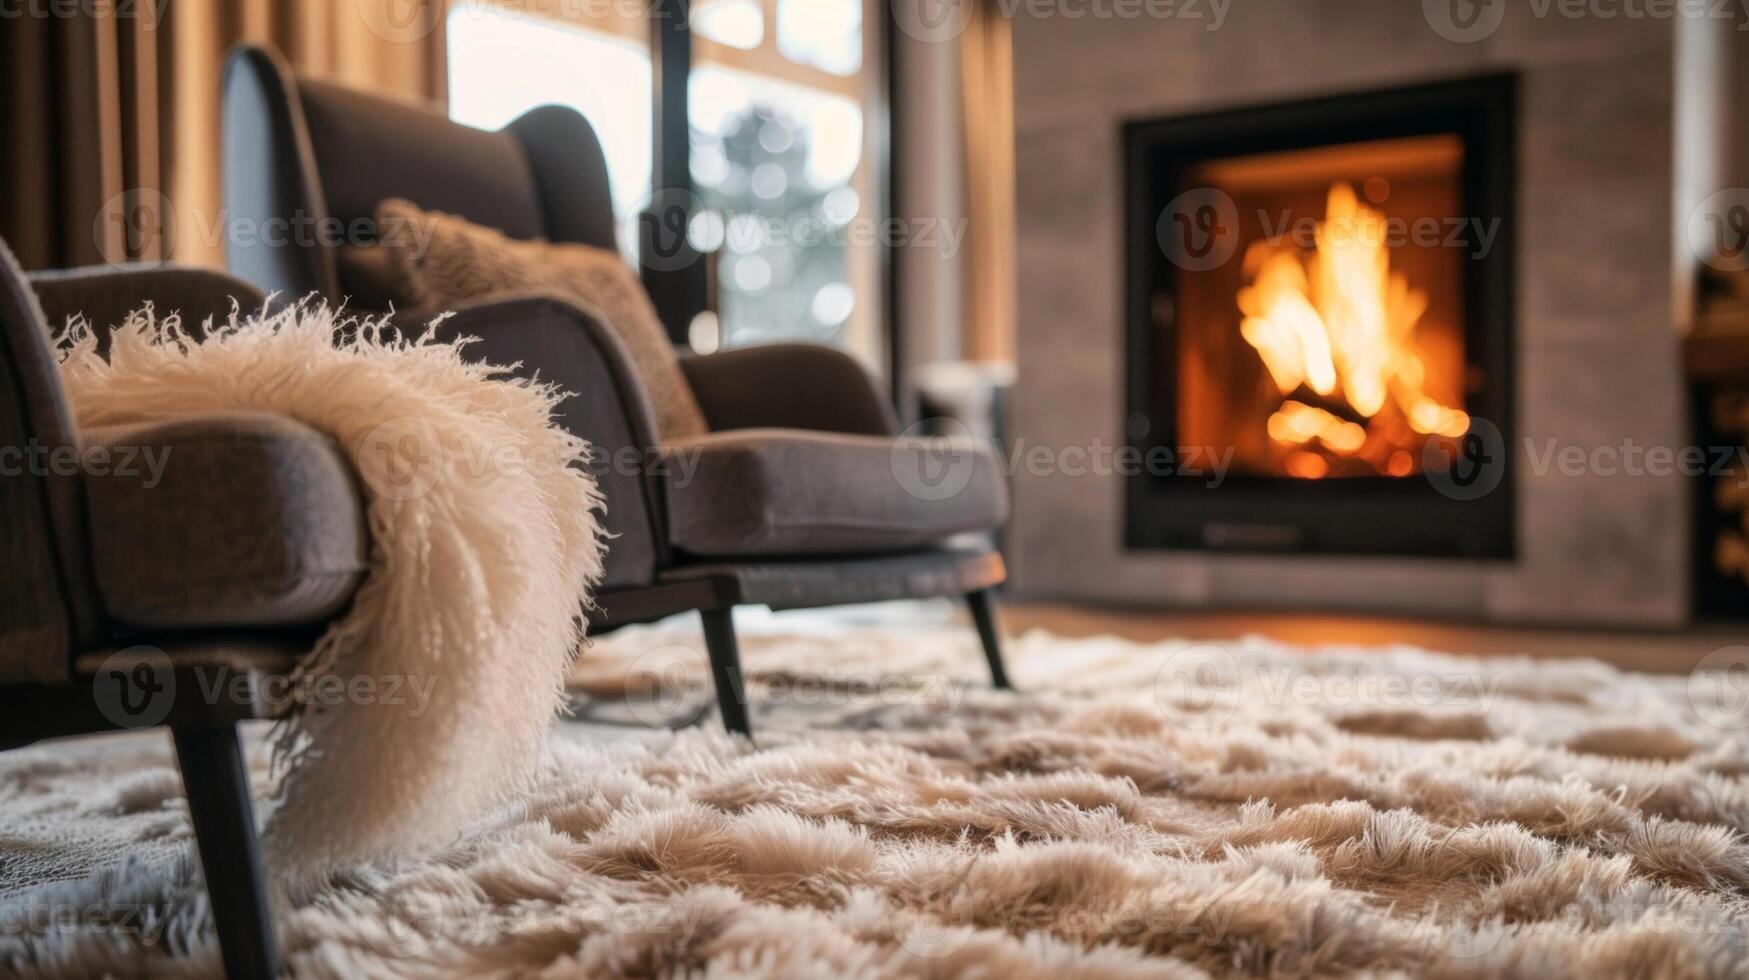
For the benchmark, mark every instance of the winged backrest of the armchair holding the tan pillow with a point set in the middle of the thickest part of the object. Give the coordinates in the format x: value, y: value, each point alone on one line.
x: 309, y: 157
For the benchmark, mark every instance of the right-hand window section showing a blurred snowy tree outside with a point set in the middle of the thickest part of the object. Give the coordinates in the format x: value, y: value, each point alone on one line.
x: 781, y: 165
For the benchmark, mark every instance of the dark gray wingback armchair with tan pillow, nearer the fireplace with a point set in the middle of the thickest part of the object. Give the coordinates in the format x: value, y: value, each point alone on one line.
x: 798, y: 496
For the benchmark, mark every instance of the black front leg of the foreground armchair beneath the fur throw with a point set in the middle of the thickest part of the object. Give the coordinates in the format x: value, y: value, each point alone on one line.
x: 225, y: 827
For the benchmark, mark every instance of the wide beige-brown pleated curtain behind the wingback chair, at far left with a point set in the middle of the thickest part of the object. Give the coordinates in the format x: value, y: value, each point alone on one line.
x: 113, y: 115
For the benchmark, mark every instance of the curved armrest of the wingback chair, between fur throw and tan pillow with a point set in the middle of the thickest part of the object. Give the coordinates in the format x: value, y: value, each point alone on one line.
x: 557, y: 342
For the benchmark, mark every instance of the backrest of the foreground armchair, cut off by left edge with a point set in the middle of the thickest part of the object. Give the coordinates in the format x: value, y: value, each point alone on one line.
x: 43, y: 547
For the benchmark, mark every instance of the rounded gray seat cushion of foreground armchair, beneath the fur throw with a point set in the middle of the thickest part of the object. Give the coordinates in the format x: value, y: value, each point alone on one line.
x: 223, y: 522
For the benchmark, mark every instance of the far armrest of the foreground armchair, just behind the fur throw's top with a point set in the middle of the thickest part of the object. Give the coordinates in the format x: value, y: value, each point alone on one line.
x: 106, y: 295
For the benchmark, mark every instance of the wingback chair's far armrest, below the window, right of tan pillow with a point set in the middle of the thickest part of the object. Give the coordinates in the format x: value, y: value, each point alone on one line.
x: 790, y: 386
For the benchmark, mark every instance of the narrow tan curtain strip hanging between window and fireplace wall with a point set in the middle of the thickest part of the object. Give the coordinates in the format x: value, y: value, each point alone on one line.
x: 989, y: 263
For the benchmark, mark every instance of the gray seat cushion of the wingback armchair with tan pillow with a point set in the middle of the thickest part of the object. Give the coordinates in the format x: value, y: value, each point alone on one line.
x: 756, y: 493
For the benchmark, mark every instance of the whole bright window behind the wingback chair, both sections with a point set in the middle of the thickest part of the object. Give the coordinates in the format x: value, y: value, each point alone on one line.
x: 779, y: 118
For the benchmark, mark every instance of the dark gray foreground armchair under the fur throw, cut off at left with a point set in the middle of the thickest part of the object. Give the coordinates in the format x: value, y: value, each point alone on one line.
x: 164, y: 573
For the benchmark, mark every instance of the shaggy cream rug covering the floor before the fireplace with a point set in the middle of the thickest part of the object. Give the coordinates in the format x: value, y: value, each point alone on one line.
x: 1141, y: 811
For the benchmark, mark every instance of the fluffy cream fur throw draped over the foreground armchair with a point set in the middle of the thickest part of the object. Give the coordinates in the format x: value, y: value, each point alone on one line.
x: 478, y: 570
